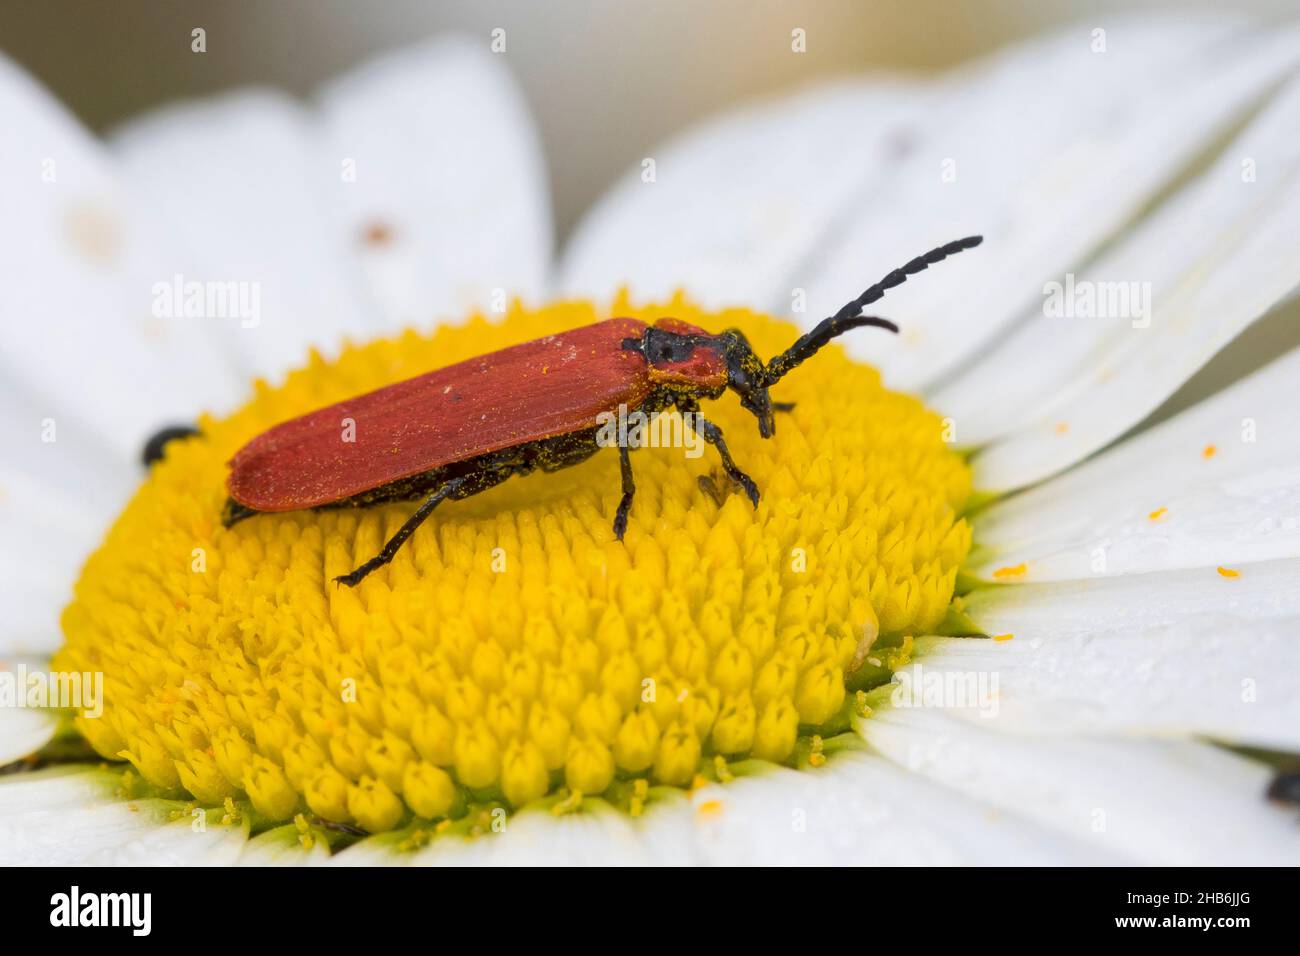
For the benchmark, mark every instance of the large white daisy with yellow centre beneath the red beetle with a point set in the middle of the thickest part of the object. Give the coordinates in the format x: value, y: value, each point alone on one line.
x: 985, y: 612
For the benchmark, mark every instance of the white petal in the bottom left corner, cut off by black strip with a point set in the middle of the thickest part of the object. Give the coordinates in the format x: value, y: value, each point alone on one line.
x: 73, y: 817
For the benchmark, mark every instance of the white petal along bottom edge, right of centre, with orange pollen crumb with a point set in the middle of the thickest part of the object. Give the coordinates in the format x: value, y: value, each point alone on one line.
x: 863, y: 811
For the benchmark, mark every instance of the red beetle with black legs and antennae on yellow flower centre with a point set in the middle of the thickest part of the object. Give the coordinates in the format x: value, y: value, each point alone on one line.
x: 462, y: 430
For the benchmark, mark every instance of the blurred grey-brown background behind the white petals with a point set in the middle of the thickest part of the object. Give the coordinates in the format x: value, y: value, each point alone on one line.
x: 605, y: 80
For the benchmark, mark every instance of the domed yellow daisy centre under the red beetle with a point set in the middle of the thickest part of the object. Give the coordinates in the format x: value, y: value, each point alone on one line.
x: 515, y: 651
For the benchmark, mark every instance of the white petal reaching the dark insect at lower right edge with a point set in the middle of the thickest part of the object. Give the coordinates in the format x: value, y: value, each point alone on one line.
x: 1152, y: 802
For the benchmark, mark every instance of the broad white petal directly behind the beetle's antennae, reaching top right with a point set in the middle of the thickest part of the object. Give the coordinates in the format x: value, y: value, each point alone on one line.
x: 1050, y: 152
